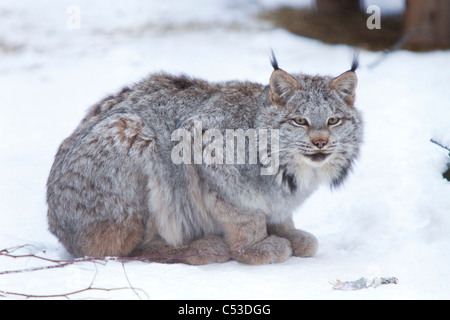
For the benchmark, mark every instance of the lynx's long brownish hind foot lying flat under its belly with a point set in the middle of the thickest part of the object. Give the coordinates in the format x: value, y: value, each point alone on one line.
x: 207, y: 250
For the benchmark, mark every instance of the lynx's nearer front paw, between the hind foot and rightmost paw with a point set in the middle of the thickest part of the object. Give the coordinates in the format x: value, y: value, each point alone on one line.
x: 270, y: 250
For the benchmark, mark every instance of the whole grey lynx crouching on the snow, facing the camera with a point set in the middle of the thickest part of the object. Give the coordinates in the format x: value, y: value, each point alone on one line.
x: 115, y: 190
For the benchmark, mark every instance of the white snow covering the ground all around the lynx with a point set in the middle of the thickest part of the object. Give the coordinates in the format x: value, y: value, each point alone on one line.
x: 390, y: 219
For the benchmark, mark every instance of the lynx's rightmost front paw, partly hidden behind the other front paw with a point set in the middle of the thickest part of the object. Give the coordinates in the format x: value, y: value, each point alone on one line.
x: 303, y: 243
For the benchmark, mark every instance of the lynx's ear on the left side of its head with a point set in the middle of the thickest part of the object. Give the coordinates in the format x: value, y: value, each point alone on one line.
x: 282, y: 84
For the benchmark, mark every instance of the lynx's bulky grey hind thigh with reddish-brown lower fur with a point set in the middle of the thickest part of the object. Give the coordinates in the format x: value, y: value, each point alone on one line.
x: 97, y: 188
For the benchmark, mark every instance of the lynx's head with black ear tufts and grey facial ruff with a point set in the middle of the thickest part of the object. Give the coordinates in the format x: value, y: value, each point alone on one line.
x: 319, y: 127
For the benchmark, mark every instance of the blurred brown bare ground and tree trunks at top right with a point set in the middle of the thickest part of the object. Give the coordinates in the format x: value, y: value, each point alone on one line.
x: 406, y: 24
